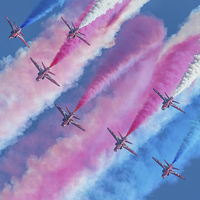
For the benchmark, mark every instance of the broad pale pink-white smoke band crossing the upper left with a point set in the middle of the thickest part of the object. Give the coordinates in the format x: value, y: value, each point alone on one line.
x: 22, y: 98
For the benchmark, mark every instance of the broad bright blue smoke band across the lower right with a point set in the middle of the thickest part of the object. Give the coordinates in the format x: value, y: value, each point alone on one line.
x: 137, y: 177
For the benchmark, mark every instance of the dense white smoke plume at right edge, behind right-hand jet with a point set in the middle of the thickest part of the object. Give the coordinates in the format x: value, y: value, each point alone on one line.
x: 190, y: 75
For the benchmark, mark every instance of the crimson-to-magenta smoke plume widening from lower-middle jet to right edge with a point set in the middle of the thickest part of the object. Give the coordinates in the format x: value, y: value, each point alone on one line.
x: 170, y: 70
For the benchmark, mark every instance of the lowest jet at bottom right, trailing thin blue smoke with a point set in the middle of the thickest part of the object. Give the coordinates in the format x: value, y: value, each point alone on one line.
x: 167, y: 170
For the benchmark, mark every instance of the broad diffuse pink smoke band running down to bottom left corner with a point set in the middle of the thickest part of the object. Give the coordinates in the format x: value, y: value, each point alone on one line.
x: 65, y: 162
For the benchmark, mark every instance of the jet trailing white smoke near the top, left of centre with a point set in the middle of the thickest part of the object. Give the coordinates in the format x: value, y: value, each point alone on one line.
x: 74, y: 32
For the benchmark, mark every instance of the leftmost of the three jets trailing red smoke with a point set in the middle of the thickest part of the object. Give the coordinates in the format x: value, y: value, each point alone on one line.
x: 44, y: 73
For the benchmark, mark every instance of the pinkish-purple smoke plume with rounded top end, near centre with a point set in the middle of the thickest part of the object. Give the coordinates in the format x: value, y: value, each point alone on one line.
x: 142, y: 39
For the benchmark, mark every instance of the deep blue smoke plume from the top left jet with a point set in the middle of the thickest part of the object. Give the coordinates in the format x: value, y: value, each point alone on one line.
x: 41, y: 10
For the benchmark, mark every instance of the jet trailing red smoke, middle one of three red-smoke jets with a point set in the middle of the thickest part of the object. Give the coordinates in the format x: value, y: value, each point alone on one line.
x: 68, y: 118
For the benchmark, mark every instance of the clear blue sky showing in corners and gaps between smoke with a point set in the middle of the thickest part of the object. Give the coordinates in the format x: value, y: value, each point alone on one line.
x: 173, y: 14
